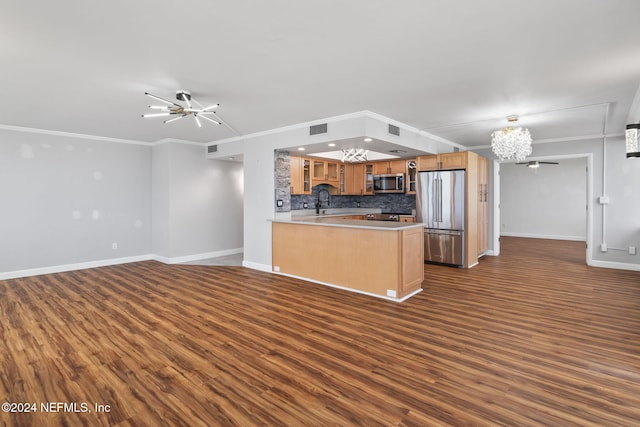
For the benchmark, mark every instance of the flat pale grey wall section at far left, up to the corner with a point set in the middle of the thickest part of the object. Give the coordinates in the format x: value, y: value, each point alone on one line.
x: 65, y: 200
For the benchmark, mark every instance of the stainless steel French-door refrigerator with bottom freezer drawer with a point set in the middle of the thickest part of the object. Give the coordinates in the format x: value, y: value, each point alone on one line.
x: 440, y: 206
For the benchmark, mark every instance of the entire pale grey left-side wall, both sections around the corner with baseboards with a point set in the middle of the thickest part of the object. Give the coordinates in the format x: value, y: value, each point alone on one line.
x: 65, y: 199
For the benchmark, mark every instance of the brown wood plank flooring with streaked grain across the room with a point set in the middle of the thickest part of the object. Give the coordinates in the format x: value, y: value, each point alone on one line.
x: 532, y: 337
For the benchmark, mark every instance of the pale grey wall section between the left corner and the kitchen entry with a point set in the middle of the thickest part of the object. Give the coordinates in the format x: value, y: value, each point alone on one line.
x: 197, y: 204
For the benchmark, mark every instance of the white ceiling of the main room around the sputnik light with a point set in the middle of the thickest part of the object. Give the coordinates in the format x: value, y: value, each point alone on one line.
x: 456, y: 69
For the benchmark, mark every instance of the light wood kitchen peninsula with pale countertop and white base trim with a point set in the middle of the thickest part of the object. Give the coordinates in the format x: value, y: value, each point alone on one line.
x: 378, y: 258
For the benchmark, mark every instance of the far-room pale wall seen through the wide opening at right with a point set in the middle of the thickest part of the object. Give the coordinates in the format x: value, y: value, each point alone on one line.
x: 545, y: 202
